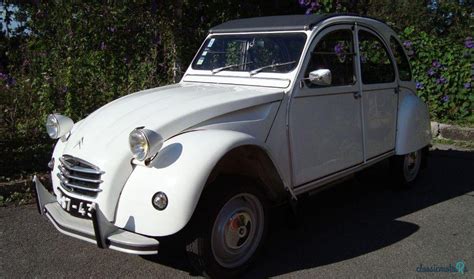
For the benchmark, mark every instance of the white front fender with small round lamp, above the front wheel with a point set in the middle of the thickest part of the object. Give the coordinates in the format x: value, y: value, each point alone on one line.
x: 180, y: 170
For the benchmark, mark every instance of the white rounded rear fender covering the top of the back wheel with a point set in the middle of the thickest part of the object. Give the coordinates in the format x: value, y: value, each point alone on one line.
x: 413, y: 125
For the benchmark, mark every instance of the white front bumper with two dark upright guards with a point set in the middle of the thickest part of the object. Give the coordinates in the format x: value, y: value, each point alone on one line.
x: 98, y: 230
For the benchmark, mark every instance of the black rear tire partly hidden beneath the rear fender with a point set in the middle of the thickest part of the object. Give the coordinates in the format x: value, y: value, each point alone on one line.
x: 405, y: 169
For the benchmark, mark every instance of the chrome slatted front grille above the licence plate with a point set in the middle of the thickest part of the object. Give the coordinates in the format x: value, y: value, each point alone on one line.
x: 79, y: 176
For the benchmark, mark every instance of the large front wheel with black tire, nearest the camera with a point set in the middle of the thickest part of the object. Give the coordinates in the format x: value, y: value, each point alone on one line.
x: 228, y: 230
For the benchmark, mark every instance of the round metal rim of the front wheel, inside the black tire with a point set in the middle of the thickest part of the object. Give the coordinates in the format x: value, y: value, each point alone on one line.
x: 238, y: 230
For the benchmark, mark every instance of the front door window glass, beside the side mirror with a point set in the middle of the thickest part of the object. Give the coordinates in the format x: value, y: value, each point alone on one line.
x: 335, y: 52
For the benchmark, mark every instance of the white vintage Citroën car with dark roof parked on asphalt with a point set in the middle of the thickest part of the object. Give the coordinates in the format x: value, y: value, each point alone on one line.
x: 270, y: 108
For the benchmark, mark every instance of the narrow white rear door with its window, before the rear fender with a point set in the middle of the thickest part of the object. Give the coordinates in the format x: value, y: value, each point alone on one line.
x: 379, y: 93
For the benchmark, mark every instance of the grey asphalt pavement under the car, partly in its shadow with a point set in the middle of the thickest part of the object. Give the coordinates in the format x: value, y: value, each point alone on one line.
x: 362, y: 228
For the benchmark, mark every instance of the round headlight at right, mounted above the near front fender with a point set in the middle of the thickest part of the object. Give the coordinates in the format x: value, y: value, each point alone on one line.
x: 144, y: 143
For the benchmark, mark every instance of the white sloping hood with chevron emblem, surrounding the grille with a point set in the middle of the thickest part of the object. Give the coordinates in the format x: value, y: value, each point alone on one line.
x: 102, y: 138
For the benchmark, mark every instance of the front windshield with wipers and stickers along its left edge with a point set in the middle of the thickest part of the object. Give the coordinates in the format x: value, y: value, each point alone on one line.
x: 278, y: 53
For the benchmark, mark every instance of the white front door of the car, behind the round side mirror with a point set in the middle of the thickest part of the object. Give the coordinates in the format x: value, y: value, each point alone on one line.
x: 325, y: 123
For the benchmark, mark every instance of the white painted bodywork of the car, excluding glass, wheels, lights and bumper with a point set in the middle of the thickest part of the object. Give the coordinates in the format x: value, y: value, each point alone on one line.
x: 308, y: 134
